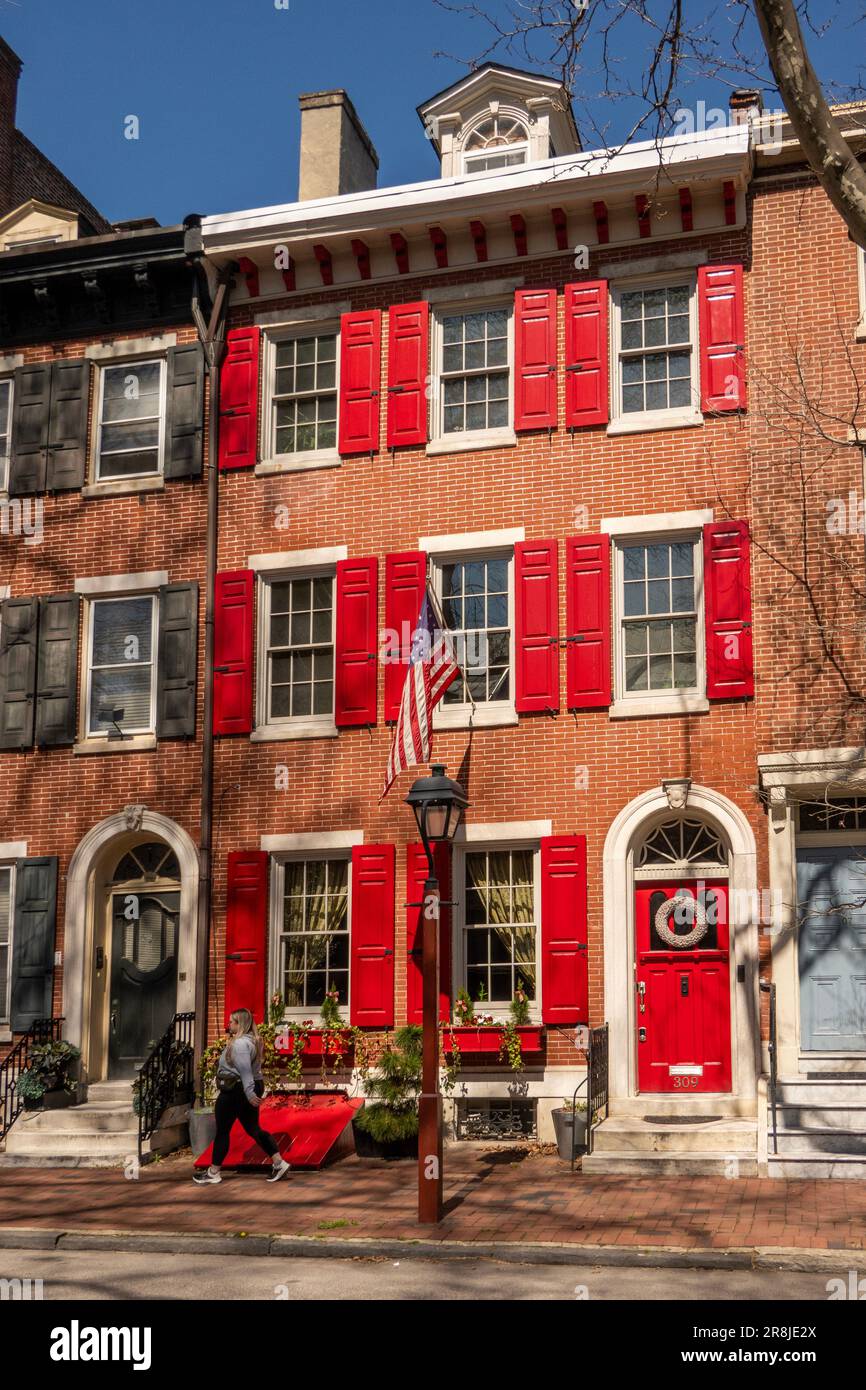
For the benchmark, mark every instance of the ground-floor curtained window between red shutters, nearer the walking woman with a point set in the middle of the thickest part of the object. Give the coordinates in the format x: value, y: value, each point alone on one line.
x: 312, y: 949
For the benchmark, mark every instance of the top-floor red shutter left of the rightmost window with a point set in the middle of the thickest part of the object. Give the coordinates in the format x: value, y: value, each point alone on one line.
x: 587, y: 376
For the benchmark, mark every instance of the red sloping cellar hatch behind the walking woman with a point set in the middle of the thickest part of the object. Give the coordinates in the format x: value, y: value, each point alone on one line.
x: 308, y: 1129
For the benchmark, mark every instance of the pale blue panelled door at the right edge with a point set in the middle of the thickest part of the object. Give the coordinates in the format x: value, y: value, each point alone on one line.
x: 832, y: 910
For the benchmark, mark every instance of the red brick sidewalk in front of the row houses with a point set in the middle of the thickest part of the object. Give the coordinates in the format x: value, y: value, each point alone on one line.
x: 498, y: 1196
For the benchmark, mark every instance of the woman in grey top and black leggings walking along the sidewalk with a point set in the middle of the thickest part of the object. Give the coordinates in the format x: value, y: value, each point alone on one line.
x: 241, y: 1088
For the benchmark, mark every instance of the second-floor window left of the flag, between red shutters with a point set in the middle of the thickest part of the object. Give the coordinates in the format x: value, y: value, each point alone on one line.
x: 298, y: 641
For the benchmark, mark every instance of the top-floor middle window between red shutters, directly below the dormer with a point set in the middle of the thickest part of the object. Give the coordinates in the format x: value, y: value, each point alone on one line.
x: 473, y: 376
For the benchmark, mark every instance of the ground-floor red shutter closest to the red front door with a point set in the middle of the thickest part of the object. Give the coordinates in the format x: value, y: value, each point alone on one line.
x: 565, y: 989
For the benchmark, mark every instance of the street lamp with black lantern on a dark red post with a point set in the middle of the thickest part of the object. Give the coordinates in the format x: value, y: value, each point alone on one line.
x: 439, y: 806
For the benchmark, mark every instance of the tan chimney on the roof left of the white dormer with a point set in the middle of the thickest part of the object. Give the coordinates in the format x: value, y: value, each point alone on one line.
x: 337, y: 155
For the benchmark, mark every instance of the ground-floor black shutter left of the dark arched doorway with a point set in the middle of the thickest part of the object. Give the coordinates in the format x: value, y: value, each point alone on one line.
x: 34, y: 942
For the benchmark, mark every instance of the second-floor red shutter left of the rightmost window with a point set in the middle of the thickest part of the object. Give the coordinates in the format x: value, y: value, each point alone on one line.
x: 589, y: 622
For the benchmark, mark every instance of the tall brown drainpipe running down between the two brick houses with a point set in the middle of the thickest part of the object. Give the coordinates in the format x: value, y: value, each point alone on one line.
x: 212, y: 336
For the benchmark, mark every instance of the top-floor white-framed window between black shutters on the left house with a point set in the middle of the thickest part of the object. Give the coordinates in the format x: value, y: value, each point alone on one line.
x: 131, y: 422
